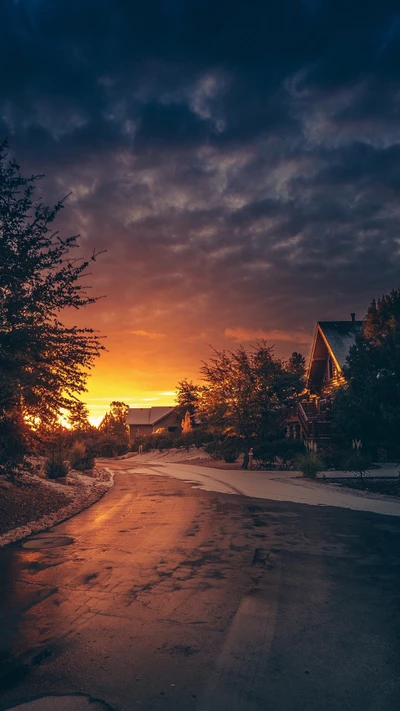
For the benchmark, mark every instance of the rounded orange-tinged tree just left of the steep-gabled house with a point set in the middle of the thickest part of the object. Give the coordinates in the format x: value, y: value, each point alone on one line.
x: 247, y: 392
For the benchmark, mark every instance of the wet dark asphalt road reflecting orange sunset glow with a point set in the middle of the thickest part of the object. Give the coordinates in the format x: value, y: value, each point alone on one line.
x: 165, y: 597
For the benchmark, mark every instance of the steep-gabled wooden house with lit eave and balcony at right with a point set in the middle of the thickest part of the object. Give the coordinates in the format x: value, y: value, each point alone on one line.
x: 310, y: 418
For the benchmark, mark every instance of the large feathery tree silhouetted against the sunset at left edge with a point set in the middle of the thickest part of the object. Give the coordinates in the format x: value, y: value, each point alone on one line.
x: 43, y: 364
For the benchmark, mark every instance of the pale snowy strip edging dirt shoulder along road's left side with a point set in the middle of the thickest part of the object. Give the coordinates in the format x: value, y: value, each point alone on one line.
x: 82, y: 491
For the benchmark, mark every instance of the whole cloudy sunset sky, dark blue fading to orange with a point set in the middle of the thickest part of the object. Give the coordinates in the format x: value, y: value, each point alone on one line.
x: 239, y: 161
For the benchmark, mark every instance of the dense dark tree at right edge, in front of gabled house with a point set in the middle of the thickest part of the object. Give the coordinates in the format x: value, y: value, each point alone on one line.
x: 367, y: 408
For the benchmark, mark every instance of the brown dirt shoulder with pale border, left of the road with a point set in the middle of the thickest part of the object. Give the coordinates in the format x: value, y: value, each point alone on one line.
x: 32, y: 503
